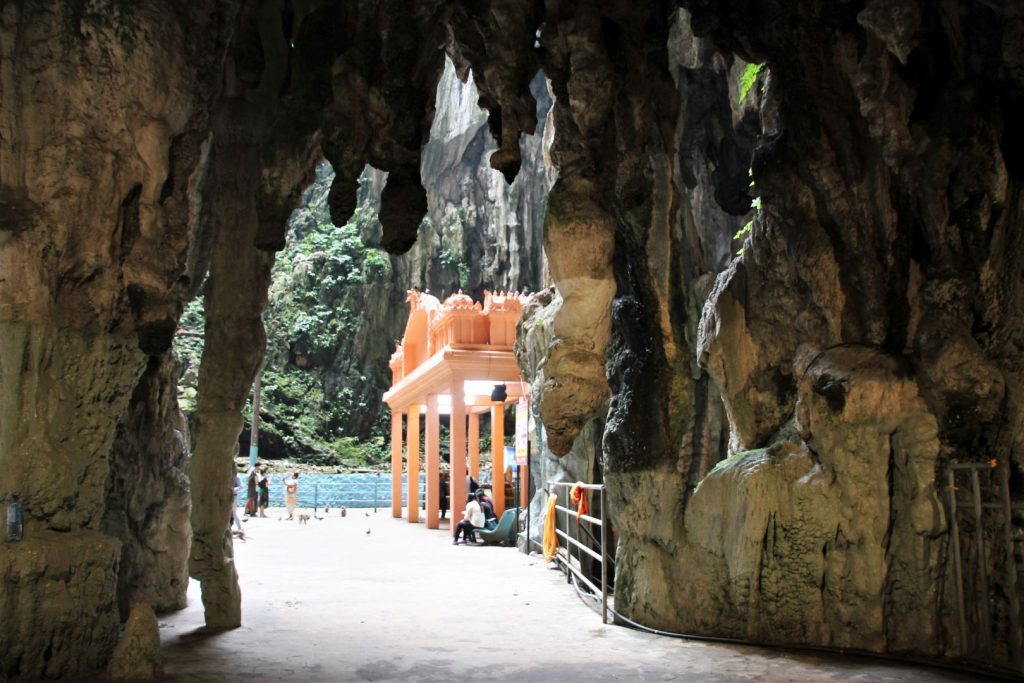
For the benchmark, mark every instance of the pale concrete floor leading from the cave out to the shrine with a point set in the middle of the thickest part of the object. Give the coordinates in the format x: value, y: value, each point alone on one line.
x: 372, y: 599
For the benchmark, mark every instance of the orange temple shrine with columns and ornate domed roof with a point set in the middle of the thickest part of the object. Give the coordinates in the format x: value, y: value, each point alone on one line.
x: 450, y: 362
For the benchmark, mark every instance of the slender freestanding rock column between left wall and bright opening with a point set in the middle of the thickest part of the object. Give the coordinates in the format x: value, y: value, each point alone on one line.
x: 236, y: 296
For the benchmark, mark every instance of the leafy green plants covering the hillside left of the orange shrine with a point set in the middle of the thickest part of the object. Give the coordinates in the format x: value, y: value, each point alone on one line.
x: 325, y: 367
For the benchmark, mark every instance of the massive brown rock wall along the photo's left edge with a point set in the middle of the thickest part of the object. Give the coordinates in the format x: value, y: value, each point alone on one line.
x: 102, y: 125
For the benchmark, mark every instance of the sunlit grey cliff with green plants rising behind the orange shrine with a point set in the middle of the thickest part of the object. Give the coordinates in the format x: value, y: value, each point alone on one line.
x: 334, y: 307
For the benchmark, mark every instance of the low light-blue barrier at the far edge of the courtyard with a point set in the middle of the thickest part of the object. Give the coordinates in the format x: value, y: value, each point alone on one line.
x: 352, y: 491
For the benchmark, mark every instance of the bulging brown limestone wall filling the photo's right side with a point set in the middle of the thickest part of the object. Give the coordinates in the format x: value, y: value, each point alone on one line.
x: 866, y: 341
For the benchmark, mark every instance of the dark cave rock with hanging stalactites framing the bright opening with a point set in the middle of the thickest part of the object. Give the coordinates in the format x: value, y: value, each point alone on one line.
x: 786, y: 241
